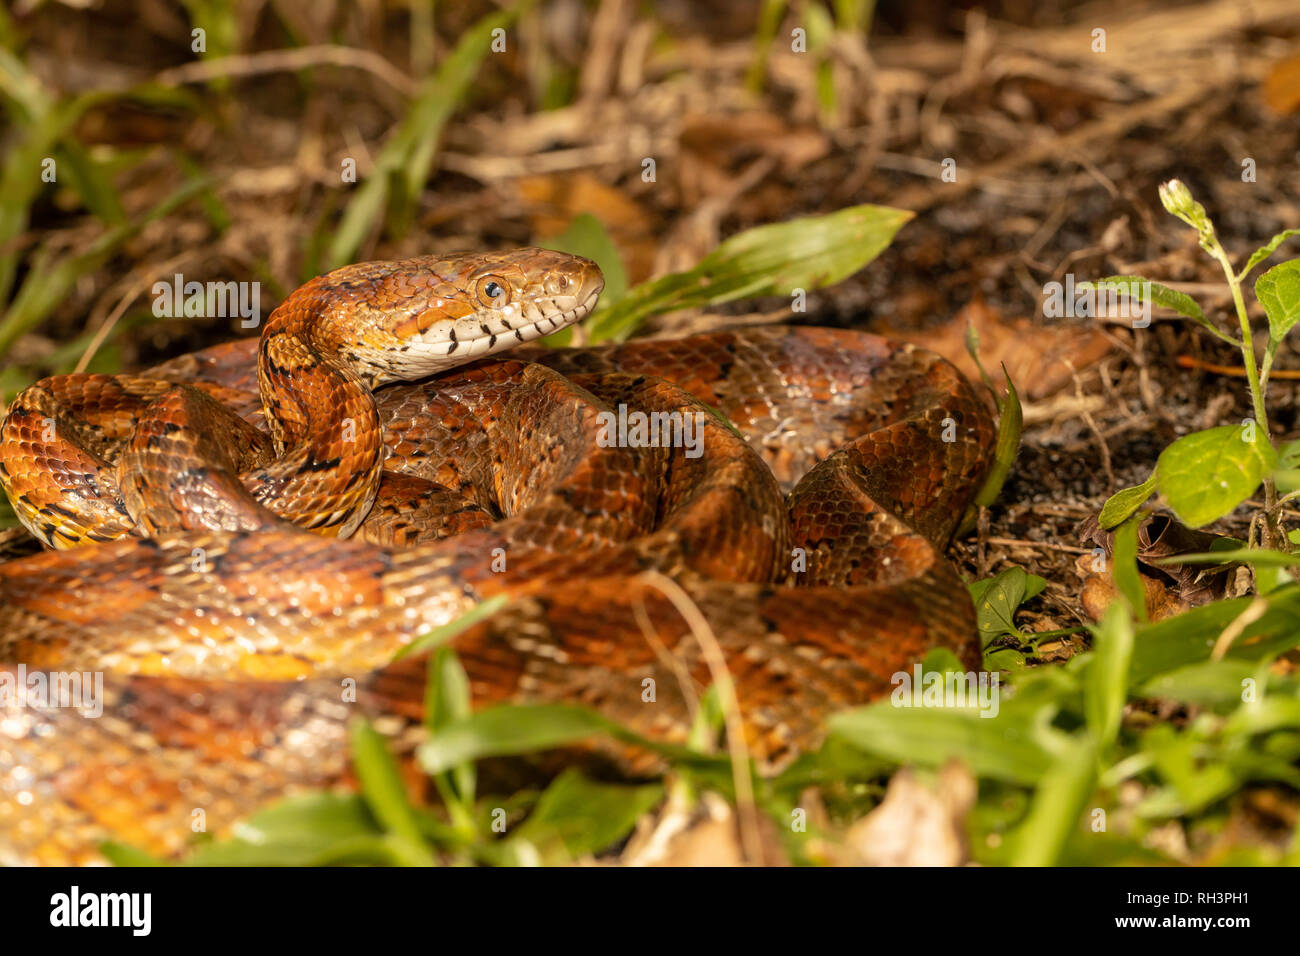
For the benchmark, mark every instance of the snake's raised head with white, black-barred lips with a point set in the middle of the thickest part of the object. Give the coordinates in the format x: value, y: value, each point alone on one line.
x: 409, y: 319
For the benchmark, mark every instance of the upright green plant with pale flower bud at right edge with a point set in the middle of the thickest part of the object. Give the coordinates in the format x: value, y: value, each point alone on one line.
x: 1207, y: 475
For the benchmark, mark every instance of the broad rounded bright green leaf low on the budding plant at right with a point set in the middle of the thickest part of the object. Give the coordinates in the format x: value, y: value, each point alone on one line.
x: 1206, y: 475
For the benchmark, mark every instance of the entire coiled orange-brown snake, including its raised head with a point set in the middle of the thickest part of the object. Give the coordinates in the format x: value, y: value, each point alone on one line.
x: 179, y: 504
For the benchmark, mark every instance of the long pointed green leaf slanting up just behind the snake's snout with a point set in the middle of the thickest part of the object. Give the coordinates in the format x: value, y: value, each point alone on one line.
x: 768, y: 261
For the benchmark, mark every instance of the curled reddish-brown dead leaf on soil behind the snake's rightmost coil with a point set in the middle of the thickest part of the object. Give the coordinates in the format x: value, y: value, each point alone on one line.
x: 1038, y: 357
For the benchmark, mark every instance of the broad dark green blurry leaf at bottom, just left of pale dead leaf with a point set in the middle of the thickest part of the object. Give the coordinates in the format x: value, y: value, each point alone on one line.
x: 586, y: 817
